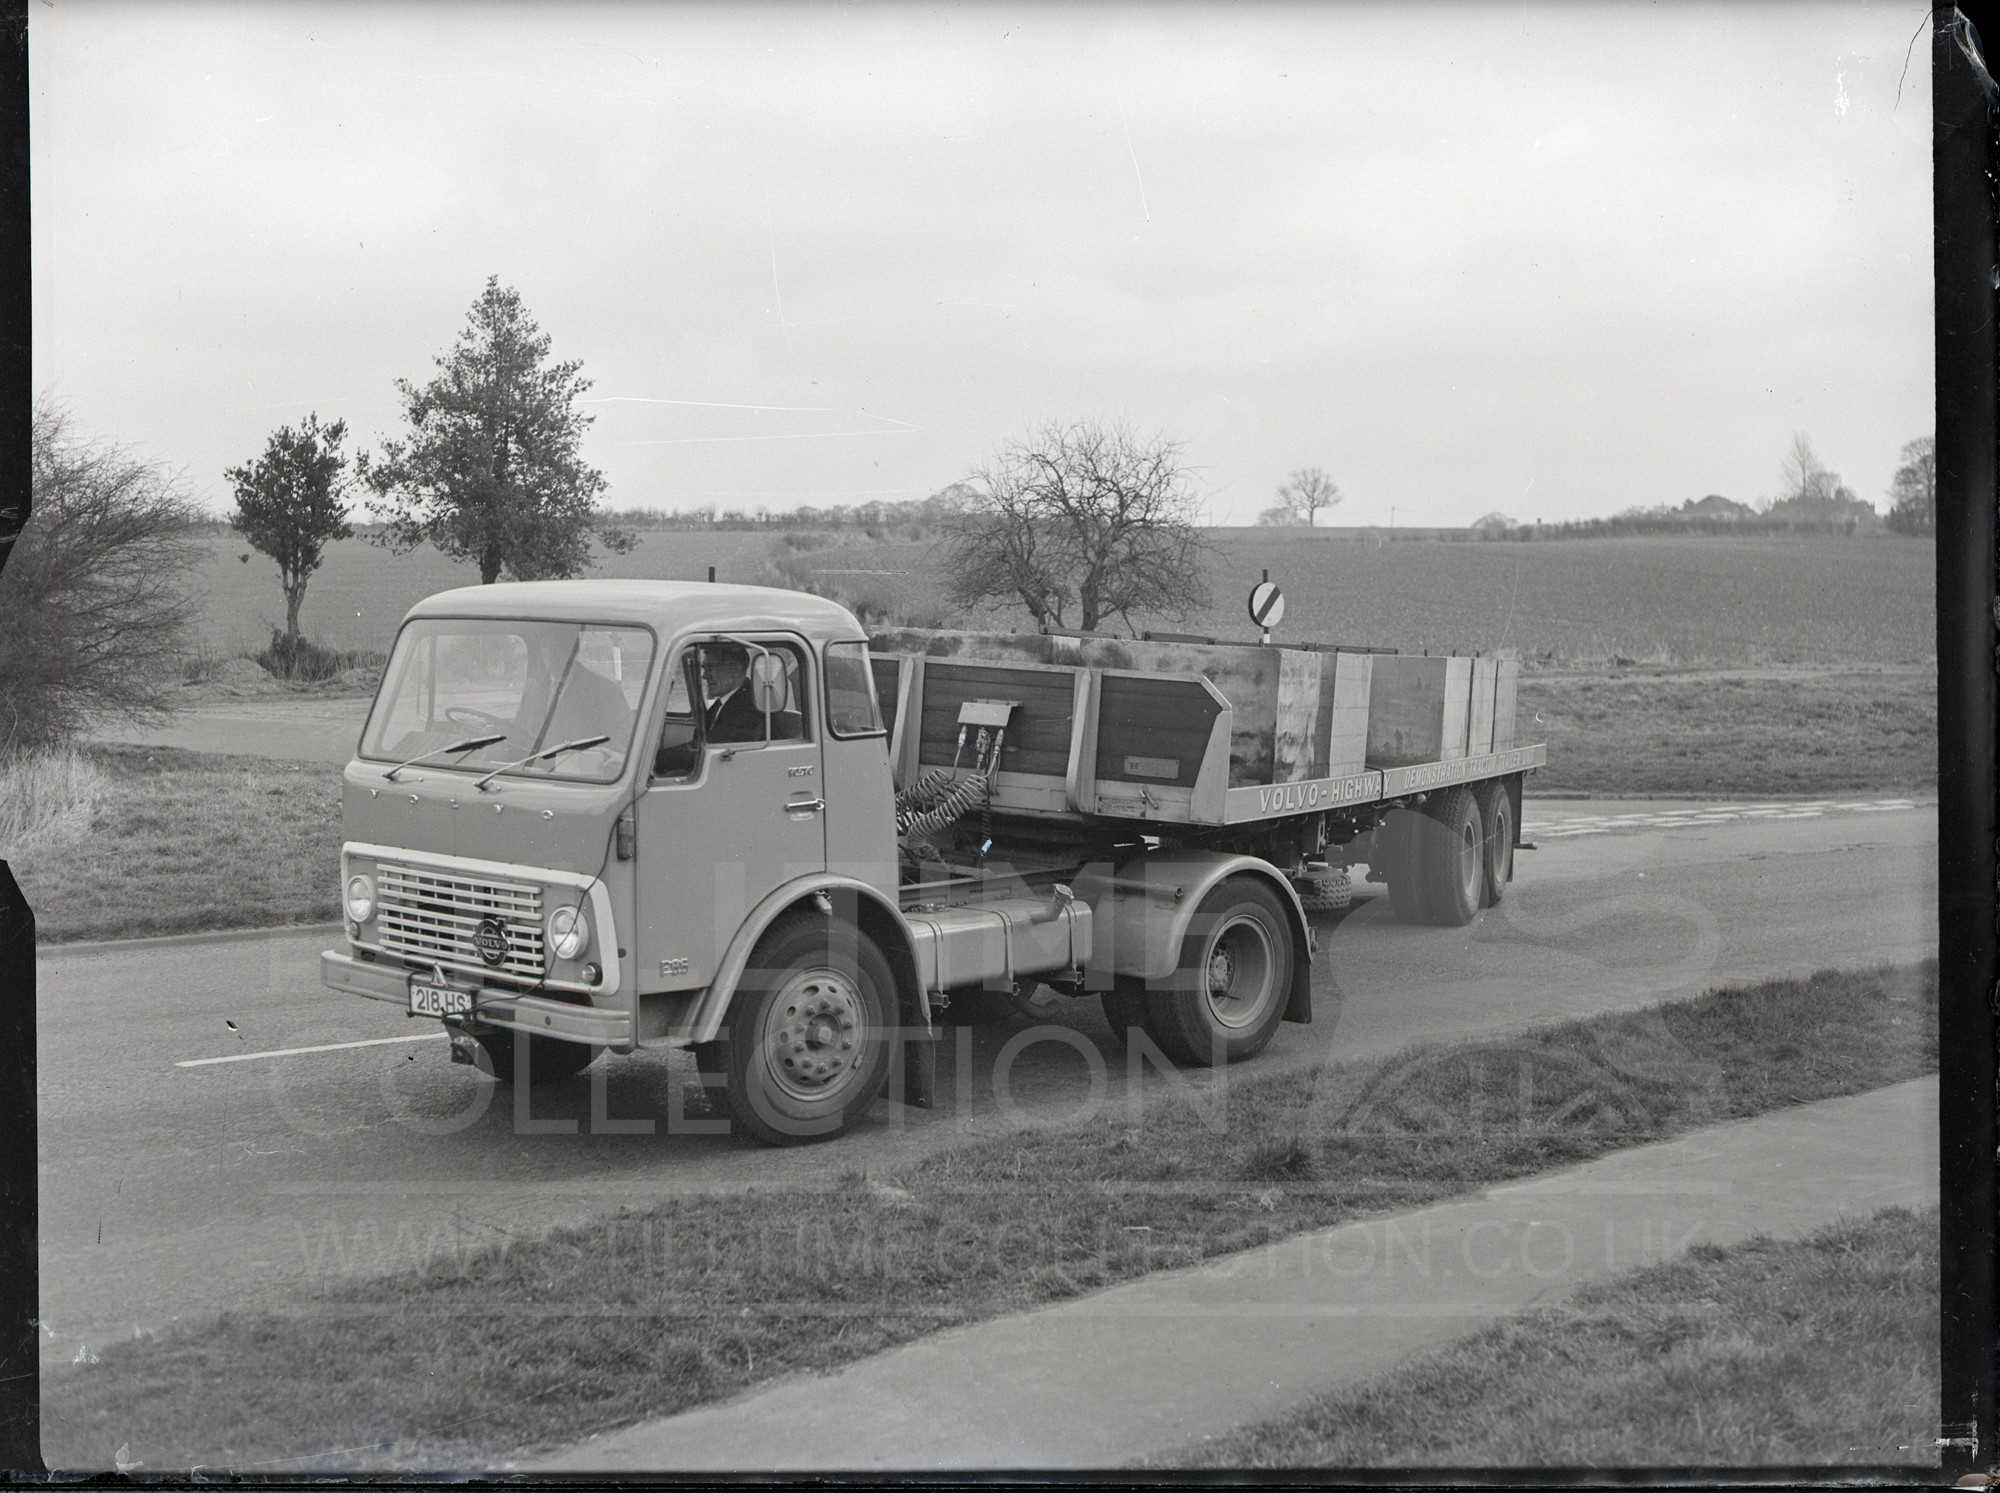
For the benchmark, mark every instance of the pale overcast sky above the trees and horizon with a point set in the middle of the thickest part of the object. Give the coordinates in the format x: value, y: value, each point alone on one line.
x: 1549, y: 261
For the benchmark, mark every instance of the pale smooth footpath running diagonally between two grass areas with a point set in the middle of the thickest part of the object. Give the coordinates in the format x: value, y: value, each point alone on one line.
x: 1183, y: 1356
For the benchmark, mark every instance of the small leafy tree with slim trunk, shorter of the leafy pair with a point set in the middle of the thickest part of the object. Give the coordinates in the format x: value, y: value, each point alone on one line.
x: 291, y: 503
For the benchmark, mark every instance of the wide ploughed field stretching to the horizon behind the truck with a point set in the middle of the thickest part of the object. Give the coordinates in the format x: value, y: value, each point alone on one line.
x: 1661, y: 601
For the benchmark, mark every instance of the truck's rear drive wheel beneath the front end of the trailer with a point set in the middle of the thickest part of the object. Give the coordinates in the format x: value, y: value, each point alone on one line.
x: 1235, y: 978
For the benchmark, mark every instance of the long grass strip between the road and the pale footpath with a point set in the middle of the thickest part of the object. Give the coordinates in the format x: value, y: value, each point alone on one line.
x: 543, y: 1340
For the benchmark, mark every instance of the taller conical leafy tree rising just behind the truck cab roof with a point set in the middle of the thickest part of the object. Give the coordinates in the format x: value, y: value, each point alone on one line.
x: 493, y: 467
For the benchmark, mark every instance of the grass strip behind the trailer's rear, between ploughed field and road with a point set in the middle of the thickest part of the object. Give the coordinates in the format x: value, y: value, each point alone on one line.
x: 1733, y: 731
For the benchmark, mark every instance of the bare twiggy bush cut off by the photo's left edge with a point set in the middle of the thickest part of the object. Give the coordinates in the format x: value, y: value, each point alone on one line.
x: 99, y: 593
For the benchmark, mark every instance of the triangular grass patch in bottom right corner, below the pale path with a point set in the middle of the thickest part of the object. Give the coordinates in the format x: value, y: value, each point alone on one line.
x: 1807, y: 1352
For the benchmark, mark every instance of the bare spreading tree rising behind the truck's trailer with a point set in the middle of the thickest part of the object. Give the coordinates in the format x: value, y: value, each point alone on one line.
x: 1079, y: 515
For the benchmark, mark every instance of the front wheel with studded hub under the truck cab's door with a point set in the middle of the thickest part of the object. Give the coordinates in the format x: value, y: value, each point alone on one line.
x: 811, y: 1032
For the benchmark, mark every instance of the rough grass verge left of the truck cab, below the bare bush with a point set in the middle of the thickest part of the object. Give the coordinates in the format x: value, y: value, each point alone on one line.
x: 183, y: 842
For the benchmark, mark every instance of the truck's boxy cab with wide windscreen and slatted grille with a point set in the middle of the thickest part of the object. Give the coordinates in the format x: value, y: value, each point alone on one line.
x: 573, y: 802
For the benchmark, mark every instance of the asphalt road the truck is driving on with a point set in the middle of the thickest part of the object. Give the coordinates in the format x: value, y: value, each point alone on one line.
x: 173, y: 1190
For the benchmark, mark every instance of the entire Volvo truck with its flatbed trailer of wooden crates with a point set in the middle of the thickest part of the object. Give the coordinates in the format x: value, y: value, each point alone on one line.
x: 617, y: 816
